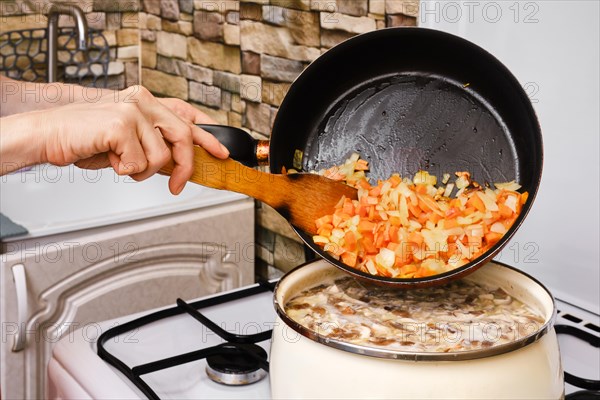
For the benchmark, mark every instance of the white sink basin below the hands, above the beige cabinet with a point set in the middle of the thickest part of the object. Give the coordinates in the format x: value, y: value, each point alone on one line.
x: 49, y: 200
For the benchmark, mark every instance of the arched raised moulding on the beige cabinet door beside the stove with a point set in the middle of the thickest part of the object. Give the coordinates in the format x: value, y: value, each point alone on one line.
x: 102, y: 291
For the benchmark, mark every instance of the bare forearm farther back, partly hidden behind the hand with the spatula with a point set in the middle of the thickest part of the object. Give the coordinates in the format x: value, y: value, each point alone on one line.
x: 17, y: 97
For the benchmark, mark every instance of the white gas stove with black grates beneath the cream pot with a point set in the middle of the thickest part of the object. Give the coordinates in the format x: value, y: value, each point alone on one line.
x: 217, y: 347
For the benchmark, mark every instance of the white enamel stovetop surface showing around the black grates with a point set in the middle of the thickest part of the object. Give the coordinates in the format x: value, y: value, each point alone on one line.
x: 80, y: 373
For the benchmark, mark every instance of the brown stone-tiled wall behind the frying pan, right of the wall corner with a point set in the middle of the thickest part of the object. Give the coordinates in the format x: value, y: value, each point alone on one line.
x: 235, y: 60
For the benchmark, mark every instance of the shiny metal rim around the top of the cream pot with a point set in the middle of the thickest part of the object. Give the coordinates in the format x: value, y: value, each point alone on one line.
x: 411, y: 355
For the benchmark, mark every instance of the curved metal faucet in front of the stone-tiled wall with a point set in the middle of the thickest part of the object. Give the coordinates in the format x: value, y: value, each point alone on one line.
x: 82, y: 33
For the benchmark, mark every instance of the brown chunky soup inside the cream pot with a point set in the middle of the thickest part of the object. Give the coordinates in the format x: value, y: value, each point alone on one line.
x: 460, y: 316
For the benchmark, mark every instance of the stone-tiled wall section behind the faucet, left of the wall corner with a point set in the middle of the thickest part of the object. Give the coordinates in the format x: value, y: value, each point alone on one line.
x: 117, y: 19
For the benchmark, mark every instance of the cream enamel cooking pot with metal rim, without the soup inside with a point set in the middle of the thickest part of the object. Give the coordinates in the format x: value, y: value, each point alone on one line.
x: 304, y: 364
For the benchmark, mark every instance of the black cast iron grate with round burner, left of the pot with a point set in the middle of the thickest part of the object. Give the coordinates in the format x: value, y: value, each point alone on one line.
x: 252, y: 363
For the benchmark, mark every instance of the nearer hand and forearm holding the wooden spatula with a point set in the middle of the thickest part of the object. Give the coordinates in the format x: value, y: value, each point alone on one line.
x: 128, y: 130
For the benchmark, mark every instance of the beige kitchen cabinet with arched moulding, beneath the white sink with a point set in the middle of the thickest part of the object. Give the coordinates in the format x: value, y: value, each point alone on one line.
x: 53, y: 286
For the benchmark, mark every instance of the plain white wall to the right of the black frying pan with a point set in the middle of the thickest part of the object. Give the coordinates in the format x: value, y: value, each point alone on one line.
x: 552, y: 47
